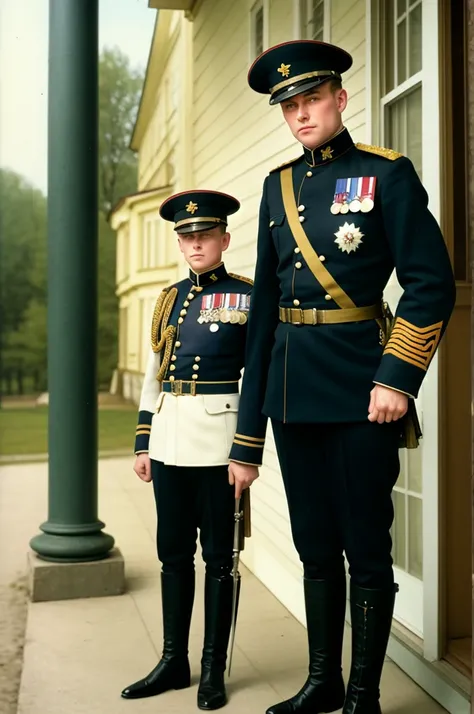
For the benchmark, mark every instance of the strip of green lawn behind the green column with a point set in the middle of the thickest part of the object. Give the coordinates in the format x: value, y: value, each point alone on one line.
x: 25, y: 431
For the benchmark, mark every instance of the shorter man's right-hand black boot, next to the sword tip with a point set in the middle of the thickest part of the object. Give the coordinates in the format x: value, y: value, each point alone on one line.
x: 218, y: 620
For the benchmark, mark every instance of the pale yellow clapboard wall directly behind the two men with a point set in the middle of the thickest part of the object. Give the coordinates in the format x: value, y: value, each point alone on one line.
x: 237, y: 138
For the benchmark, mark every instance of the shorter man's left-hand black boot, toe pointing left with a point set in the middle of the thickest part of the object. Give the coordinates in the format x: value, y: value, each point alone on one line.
x: 172, y: 671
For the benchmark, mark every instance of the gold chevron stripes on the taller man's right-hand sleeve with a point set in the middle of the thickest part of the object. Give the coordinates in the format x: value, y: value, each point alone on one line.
x: 412, y: 344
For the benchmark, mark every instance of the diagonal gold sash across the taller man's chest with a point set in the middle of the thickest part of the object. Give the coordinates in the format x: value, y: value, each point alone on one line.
x: 320, y: 272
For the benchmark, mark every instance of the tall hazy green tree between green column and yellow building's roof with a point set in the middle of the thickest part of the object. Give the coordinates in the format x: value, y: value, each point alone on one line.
x: 119, y: 96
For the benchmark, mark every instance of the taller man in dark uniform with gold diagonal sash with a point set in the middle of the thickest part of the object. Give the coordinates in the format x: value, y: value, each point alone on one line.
x: 322, y: 365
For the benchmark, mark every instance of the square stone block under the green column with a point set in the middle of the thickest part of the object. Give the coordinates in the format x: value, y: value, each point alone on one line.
x: 66, y: 581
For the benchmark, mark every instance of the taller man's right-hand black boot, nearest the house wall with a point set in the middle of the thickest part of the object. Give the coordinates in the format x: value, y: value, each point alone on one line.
x: 371, y: 614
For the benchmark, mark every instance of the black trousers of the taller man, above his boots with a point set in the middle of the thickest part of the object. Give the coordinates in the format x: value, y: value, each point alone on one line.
x: 338, y: 480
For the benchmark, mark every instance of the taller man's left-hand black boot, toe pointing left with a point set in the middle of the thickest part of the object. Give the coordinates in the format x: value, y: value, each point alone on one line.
x: 323, y: 691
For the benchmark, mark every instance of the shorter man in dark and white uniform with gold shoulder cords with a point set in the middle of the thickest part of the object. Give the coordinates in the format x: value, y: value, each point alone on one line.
x: 186, y: 424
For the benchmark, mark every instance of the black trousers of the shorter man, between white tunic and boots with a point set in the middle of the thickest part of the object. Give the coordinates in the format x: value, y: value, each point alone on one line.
x: 188, y: 499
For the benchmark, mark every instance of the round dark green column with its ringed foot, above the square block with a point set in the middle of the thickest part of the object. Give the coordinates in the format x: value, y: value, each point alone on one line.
x: 72, y: 532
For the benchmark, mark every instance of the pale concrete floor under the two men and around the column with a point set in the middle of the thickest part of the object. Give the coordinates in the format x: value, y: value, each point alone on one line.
x: 80, y: 654
